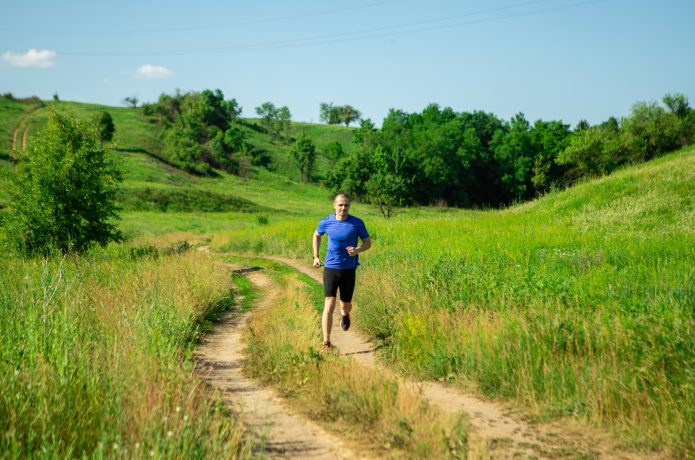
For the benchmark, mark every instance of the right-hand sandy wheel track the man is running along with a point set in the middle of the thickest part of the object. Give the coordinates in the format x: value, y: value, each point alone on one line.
x: 497, y: 431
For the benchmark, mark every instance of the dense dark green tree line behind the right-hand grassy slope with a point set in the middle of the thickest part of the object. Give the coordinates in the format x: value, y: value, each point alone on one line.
x: 475, y: 159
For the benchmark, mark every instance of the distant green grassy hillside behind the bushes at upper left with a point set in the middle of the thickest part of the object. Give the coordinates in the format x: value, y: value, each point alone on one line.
x: 136, y: 140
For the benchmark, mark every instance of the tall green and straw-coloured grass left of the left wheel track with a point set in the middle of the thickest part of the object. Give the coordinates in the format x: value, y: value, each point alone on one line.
x: 96, y: 356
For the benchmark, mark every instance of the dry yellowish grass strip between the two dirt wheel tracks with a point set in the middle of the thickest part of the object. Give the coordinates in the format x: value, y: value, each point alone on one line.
x: 360, y: 403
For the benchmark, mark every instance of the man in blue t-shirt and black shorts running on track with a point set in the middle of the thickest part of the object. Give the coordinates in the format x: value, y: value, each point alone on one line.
x: 341, y: 261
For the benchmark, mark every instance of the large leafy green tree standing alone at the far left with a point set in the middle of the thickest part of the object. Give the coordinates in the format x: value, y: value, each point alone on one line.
x: 64, y: 192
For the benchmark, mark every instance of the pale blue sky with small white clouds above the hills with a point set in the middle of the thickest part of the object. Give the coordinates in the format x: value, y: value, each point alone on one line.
x: 549, y: 59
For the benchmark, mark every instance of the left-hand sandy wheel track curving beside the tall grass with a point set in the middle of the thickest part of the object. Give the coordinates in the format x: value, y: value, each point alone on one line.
x: 282, y: 433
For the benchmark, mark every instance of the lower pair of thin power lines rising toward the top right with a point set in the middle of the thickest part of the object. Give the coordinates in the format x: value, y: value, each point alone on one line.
x: 359, y: 35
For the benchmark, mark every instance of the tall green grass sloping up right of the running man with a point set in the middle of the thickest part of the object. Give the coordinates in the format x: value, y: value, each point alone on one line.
x: 579, y: 304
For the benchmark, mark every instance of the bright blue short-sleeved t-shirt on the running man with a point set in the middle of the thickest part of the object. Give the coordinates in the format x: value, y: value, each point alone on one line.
x: 341, y: 234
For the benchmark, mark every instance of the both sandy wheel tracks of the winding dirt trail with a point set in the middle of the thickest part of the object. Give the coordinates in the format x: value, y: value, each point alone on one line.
x: 497, y: 430
